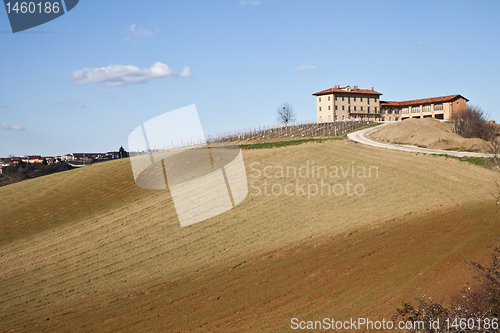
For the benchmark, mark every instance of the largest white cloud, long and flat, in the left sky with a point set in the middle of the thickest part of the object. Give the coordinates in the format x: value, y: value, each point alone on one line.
x: 120, y: 75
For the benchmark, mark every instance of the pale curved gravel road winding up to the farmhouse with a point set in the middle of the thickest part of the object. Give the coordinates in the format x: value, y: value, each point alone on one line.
x: 362, y: 137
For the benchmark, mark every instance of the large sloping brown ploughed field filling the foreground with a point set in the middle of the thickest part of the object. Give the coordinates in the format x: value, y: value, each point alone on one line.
x: 87, y: 250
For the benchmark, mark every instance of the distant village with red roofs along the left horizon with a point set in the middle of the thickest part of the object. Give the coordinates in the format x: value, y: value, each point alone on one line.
x: 68, y: 158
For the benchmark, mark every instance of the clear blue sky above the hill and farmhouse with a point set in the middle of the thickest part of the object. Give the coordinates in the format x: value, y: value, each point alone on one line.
x: 242, y: 58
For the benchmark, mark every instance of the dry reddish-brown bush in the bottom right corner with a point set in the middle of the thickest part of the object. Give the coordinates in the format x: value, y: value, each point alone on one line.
x: 478, y: 303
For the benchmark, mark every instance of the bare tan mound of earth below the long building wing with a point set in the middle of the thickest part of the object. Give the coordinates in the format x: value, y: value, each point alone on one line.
x: 427, y: 132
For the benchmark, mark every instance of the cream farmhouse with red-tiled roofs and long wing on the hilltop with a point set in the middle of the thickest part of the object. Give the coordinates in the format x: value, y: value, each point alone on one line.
x: 346, y: 103
